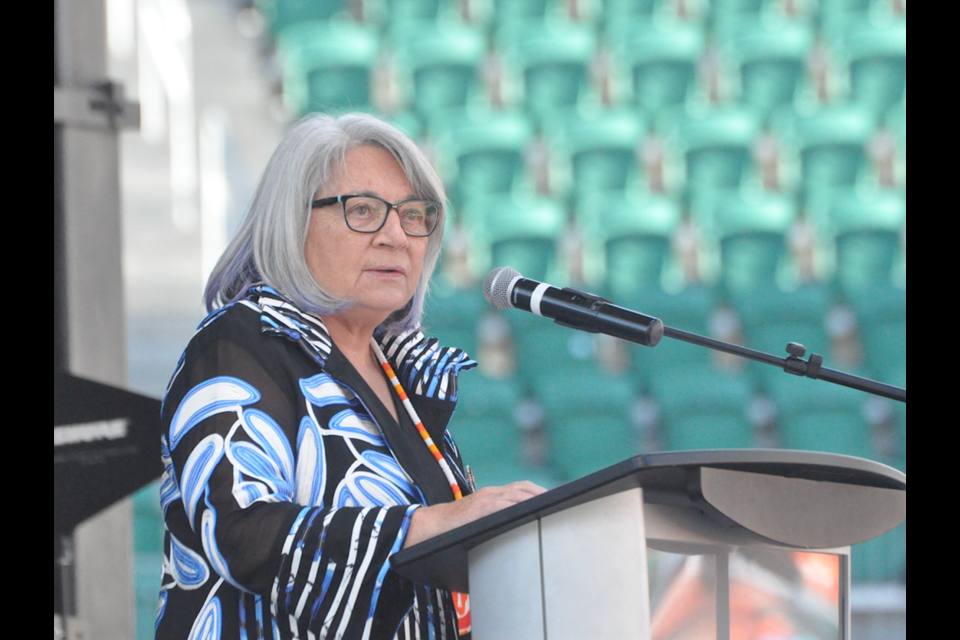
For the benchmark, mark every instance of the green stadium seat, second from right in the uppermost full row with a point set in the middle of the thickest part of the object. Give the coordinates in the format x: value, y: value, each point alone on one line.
x: 772, y: 58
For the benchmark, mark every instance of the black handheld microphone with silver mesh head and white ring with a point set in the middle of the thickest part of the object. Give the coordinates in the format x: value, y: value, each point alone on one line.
x: 505, y: 288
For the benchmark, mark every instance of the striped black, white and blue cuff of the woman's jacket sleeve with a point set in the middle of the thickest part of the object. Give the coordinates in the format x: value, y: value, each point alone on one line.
x: 334, y: 579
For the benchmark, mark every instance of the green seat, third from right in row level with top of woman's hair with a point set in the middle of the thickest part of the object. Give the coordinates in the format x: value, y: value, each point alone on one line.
x: 602, y: 149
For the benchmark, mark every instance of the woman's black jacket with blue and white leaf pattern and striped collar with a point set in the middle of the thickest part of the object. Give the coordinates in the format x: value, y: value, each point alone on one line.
x: 288, y: 484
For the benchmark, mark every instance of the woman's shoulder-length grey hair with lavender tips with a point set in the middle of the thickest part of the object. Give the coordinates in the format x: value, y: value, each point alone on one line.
x: 269, y: 246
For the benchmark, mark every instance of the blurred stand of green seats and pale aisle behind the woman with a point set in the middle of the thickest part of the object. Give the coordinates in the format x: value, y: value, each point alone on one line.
x: 736, y: 168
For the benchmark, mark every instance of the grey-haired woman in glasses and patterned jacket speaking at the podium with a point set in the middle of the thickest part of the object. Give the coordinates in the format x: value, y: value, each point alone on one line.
x: 295, y: 467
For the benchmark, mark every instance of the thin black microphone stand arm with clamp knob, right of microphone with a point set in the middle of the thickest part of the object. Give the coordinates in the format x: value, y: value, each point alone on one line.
x: 794, y: 364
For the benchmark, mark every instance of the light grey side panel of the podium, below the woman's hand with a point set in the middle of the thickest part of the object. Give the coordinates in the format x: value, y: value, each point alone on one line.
x: 580, y: 574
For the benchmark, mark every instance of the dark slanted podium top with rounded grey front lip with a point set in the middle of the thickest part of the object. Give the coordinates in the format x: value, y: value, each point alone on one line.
x: 791, y: 499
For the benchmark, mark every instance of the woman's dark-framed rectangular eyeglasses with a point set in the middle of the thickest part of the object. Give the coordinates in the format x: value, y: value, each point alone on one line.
x: 368, y: 214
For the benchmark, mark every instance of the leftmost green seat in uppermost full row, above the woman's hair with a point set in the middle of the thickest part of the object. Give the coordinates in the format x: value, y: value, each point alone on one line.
x: 327, y: 66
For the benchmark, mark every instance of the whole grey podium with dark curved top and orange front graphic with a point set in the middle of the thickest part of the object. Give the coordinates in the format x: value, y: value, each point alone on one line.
x: 672, y: 545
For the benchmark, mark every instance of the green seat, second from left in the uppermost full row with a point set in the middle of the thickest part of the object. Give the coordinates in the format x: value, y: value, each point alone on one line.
x: 442, y: 60
